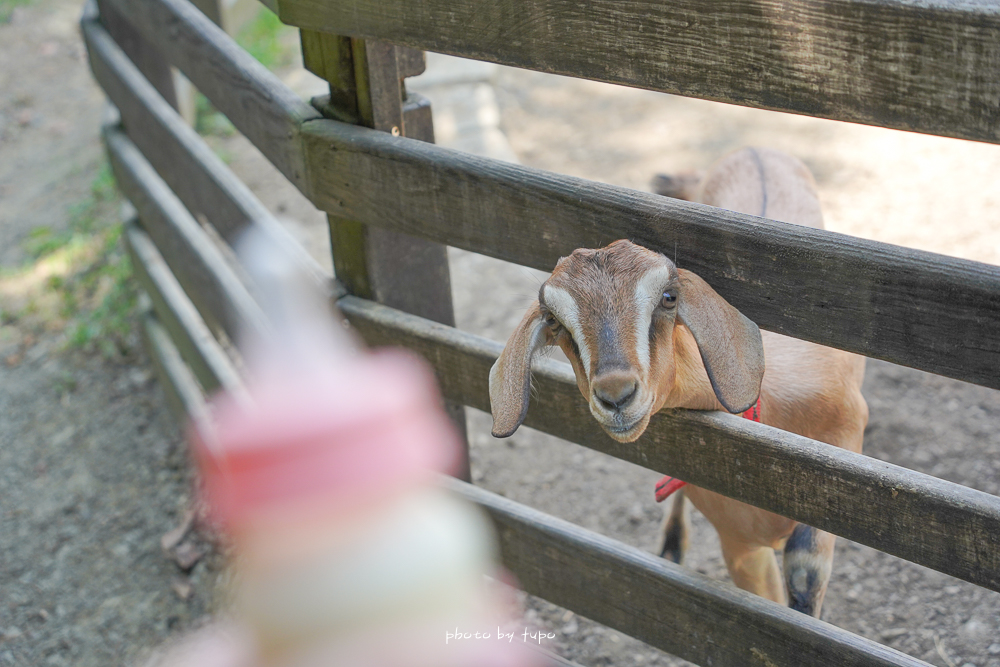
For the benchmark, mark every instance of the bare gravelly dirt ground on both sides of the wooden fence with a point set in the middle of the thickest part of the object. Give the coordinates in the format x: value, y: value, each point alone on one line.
x: 93, y: 470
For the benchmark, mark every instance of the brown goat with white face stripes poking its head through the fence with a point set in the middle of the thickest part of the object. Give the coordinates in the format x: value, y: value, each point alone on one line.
x: 642, y: 335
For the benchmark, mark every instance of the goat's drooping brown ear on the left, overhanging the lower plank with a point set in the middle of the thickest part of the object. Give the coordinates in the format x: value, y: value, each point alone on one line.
x: 510, y: 377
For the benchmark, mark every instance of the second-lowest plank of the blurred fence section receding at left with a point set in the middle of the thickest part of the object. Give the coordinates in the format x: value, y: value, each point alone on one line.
x: 179, y: 317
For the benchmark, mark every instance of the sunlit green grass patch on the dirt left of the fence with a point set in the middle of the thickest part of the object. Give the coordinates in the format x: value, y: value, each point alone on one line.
x: 78, y: 280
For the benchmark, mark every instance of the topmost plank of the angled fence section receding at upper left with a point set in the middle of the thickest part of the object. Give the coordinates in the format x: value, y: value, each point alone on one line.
x: 253, y: 98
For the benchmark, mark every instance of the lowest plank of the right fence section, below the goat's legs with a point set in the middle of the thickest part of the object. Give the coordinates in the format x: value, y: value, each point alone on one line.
x: 663, y: 604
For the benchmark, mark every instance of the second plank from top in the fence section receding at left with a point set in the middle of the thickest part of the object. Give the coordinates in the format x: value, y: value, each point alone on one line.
x: 201, y: 180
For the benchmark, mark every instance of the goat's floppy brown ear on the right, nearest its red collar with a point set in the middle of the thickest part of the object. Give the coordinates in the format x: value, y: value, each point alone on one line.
x: 730, y: 344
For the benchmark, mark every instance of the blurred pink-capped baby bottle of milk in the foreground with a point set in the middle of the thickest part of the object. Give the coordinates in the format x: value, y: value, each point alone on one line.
x: 348, y: 552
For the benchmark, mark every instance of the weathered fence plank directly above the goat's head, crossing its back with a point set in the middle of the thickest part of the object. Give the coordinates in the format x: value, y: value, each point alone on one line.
x: 910, y: 307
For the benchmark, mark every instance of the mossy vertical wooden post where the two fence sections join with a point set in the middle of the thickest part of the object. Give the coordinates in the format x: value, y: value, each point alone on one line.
x: 366, y: 88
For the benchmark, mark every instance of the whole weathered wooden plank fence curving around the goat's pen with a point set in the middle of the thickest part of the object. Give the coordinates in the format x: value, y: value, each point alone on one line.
x: 364, y: 155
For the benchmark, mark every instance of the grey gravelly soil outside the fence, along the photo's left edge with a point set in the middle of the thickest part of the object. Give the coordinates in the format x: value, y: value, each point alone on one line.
x: 93, y: 469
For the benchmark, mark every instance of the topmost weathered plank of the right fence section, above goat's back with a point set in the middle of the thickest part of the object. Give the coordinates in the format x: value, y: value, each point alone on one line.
x: 913, y: 65
